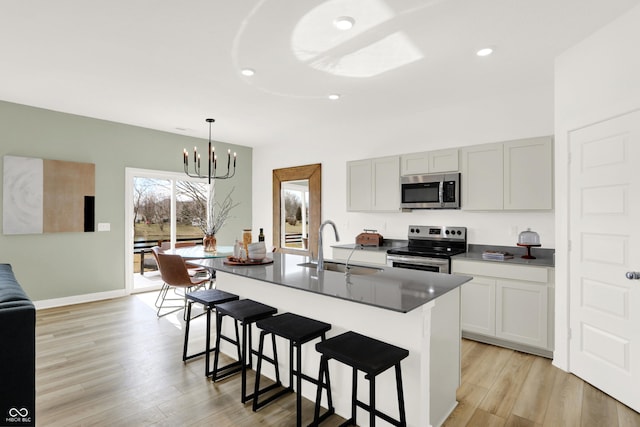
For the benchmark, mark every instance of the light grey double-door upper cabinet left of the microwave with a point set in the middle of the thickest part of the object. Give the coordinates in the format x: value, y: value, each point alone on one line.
x: 374, y: 184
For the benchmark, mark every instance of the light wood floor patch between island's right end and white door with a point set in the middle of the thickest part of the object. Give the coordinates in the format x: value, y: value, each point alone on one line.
x: 502, y: 387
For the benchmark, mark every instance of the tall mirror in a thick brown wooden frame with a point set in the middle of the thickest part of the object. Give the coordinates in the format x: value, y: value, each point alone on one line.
x: 296, y: 209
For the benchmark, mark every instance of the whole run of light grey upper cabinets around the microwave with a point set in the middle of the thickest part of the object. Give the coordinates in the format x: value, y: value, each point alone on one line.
x: 513, y: 175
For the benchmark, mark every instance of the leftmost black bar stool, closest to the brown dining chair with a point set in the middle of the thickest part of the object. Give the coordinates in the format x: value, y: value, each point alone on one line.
x: 209, y: 299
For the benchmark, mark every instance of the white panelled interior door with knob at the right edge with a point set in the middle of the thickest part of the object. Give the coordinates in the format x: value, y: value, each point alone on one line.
x: 605, y: 245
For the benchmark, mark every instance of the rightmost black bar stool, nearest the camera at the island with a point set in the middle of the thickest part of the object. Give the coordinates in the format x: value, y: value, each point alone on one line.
x: 370, y: 356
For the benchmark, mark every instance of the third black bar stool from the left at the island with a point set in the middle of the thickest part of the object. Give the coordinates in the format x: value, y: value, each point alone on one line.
x: 298, y: 330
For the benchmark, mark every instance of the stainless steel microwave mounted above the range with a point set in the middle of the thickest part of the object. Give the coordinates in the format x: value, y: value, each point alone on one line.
x: 430, y: 191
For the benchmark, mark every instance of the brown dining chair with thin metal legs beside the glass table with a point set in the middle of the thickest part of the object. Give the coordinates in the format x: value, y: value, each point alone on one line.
x: 175, y: 275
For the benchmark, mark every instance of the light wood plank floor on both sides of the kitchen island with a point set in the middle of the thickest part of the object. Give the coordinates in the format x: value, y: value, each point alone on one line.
x: 114, y: 363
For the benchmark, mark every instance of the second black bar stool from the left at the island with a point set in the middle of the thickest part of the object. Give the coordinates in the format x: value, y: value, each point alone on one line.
x: 246, y: 312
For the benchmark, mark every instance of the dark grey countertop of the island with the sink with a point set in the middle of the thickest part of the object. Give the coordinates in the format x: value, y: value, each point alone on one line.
x: 390, y: 288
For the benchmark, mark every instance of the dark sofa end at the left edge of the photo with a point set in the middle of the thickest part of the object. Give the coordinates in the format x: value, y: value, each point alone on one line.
x: 17, y: 352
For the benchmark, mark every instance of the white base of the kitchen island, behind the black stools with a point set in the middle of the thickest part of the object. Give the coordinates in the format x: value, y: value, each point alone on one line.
x: 431, y: 333
